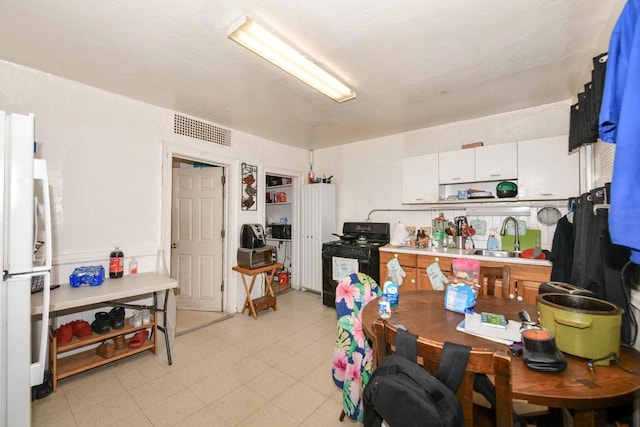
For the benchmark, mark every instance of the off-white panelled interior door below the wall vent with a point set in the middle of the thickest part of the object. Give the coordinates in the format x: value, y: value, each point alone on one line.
x: 196, y: 226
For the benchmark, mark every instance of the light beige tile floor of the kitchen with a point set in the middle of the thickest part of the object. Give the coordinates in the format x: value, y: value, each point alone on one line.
x: 273, y: 371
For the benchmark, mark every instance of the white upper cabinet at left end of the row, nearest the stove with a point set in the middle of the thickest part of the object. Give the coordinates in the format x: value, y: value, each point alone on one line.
x: 420, y: 179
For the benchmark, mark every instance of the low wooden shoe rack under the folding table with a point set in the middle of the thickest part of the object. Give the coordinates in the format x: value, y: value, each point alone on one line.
x: 66, y: 366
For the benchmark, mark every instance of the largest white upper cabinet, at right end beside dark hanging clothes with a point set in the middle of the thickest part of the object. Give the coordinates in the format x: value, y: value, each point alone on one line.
x: 546, y: 169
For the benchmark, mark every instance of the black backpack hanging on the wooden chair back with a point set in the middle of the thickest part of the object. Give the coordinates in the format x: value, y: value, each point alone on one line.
x: 403, y: 393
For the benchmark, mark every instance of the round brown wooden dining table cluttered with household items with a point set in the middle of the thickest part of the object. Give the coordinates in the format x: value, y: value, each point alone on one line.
x: 587, y: 394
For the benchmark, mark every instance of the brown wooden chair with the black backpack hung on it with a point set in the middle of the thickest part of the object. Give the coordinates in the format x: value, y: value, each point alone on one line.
x: 494, y: 363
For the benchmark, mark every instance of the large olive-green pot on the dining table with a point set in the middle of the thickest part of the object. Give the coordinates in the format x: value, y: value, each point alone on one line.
x: 583, y: 326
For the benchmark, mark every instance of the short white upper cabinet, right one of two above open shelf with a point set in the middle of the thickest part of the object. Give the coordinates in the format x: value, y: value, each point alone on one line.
x: 497, y: 162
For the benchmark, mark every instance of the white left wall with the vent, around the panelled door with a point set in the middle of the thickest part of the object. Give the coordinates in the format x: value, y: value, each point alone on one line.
x: 104, y: 154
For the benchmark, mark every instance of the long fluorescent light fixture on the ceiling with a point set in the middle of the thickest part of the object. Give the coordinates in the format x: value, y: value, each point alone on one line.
x: 251, y: 35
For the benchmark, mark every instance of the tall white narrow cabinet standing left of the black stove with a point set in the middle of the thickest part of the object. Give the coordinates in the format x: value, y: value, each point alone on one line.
x: 318, y: 221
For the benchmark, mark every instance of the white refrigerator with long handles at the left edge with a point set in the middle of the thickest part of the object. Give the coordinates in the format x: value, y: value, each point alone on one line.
x: 26, y: 234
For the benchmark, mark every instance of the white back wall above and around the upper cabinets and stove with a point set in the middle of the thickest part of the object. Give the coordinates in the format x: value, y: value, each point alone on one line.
x: 368, y: 175
